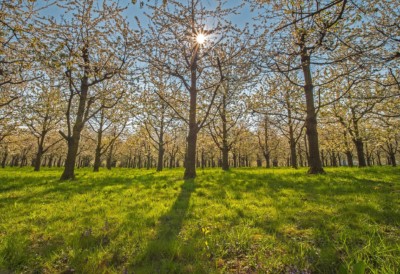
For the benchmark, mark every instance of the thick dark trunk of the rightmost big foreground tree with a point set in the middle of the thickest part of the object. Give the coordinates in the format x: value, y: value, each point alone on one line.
x: 311, y: 117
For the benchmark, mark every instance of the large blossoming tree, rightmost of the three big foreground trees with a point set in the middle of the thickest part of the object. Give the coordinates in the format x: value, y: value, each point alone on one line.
x: 309, y: 34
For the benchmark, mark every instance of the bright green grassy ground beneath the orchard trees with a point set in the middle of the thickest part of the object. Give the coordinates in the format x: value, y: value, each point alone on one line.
x: 242, y: 221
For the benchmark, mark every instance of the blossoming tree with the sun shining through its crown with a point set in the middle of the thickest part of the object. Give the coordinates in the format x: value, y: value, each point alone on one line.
x: 176, y: 45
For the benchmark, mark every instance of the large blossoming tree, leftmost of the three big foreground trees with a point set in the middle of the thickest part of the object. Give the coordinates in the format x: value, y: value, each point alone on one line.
x: 90, y: 46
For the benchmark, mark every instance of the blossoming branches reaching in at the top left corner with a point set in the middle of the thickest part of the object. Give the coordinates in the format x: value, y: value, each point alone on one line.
x: 18, y: 59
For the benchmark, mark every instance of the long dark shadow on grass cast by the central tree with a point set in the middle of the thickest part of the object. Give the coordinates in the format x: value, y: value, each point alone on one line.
x: 164, y: 248
